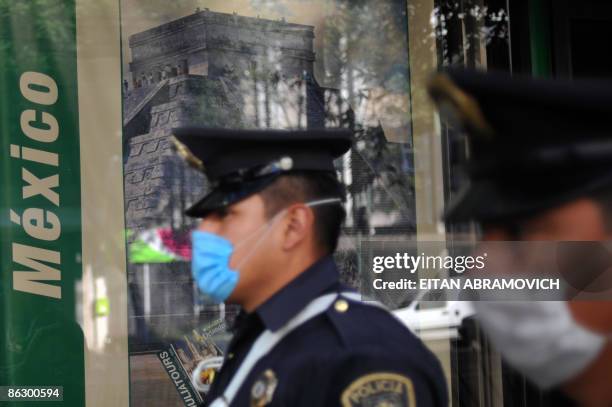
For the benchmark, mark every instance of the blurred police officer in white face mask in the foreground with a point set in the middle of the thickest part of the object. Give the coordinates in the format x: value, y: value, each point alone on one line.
x: 540, y: 170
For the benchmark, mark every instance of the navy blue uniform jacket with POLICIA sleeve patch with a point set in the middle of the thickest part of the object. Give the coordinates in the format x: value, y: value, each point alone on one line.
x: 353, y: 354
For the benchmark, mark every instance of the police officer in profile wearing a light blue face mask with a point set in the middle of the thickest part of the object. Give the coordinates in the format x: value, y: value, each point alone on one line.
x: 270, y: 225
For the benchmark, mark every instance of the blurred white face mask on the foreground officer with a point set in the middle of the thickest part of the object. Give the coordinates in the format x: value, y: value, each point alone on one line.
x: 540, y: 339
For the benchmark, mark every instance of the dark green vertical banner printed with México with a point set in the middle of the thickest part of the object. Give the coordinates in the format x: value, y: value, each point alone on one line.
x: 41, y: 343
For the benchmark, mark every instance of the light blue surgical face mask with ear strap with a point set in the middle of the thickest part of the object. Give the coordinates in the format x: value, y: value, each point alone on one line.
x: 212, y: 253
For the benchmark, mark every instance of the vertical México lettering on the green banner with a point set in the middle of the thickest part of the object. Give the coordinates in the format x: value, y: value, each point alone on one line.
x: 39, y: 128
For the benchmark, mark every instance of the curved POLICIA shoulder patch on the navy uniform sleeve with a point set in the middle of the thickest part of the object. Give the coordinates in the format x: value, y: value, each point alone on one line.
x: 380, y: 390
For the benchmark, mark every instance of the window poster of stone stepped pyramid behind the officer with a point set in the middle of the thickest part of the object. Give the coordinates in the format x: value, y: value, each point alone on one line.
x: 248, y: 64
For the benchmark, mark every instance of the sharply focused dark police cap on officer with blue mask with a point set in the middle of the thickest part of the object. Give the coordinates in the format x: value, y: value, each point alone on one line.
x: 239, y: 163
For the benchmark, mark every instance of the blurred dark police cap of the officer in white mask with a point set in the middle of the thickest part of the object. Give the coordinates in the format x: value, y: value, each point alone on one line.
x: 534, y: 143
